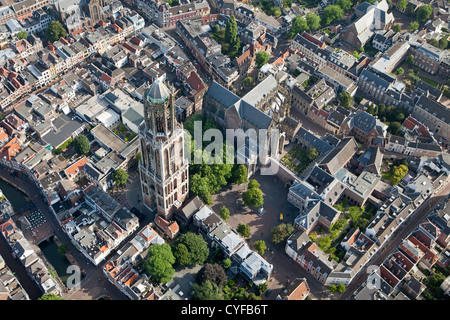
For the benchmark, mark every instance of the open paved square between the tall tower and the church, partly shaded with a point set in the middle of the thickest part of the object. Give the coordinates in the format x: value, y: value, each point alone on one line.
x: 275, y: 202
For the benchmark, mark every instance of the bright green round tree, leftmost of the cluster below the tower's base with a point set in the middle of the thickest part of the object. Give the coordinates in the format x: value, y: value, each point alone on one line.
x: 159, y: 262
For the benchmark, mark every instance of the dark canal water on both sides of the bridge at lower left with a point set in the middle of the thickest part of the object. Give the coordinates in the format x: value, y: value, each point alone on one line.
x: 21, y: 202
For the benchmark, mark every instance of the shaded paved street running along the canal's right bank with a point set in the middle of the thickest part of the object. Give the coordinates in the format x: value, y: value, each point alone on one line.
x: 94, y: 276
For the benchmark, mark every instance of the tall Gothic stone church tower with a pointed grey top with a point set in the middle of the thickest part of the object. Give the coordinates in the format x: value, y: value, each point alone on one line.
x: 164, y: 169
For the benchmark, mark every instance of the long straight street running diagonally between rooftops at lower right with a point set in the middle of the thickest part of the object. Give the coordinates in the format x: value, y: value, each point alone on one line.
x: 399, y: 235
